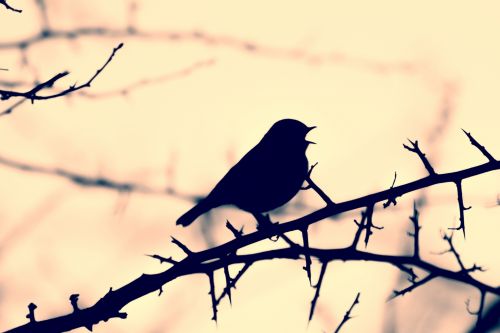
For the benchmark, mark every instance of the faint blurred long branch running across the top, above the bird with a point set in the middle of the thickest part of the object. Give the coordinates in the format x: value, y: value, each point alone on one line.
x: 209, y: 39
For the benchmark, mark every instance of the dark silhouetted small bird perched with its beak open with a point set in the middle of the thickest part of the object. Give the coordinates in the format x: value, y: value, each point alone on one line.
x: 265, y: 178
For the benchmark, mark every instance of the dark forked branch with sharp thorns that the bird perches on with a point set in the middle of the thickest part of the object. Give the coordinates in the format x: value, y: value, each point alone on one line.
x: 221, y: 257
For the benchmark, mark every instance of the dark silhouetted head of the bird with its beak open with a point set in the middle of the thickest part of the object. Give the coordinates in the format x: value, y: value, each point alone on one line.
x: 290, y: 132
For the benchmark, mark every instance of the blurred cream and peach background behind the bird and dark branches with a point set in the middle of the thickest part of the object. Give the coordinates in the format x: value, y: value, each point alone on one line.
x: 195, y: 86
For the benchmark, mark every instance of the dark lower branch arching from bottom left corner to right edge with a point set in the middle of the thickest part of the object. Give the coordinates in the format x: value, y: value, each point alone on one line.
x: 210, y: 260
